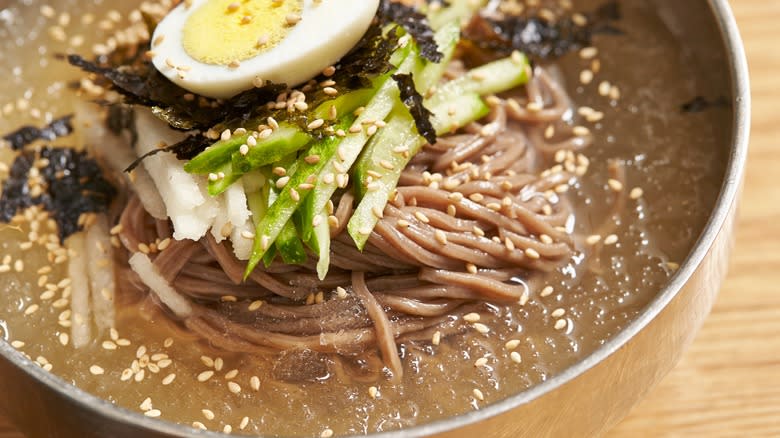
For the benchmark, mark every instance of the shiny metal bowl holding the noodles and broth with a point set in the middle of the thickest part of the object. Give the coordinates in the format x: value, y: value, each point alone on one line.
x: 586, y: 399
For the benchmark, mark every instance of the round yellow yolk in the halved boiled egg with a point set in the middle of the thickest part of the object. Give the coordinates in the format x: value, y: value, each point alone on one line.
x: 225, y: 32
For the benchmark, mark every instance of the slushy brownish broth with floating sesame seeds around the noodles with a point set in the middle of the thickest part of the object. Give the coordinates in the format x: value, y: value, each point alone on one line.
x: 149, y: 365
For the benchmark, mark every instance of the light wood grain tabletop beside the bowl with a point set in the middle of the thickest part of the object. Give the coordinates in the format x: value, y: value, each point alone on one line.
x: 728, y: 383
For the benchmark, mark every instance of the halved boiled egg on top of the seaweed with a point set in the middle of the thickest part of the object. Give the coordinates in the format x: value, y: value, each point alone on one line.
x: 219, y: 48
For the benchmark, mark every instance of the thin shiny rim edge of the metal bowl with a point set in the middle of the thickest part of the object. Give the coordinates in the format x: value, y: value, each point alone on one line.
x: 732, y: 183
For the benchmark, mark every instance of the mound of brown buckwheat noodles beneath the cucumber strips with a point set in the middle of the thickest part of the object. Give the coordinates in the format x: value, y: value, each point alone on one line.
x: 473, y: 220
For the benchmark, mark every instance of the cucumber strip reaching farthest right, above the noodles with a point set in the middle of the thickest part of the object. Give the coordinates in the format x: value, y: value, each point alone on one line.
x: 494, y: 77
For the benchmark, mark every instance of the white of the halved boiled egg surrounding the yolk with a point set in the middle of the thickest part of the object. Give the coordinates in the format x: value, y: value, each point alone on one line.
x: 327, y: 31
